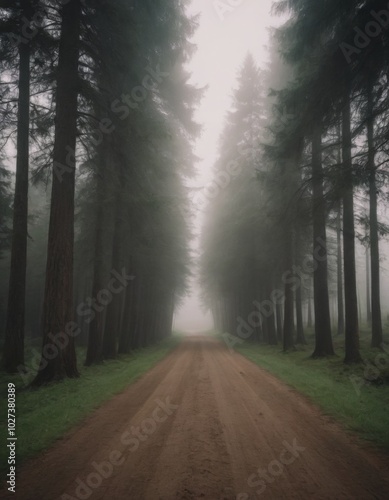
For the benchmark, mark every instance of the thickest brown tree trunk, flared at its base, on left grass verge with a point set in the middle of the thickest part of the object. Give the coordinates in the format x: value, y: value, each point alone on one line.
x: 60, y: 361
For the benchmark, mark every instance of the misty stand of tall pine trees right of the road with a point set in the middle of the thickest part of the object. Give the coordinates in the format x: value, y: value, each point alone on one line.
x: 308, y: 140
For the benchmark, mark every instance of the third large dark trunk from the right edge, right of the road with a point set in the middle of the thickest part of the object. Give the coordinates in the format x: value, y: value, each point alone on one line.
x: 323, y: 339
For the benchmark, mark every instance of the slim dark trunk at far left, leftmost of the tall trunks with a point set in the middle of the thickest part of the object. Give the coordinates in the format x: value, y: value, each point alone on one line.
x: 14, y: 332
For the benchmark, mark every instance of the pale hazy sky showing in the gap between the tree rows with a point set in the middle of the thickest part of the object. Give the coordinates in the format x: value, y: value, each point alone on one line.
x: 222, y: 44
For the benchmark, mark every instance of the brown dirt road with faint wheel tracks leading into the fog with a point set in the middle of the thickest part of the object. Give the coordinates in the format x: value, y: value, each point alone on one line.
x: 206, y: 424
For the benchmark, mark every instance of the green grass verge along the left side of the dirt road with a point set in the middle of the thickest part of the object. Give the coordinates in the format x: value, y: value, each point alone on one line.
x: 44, y: 415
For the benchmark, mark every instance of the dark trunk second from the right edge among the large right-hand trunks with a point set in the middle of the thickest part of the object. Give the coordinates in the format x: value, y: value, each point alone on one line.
x: 352, y: 354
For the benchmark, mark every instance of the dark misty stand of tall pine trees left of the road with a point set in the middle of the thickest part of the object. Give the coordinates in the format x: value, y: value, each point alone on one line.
x: 96, y: 104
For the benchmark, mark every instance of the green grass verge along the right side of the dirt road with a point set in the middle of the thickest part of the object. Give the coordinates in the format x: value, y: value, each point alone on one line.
x: 341, y: 391
